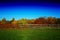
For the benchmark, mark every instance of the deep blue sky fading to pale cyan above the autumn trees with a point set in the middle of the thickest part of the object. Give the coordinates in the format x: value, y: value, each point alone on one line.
x: 29, y: 9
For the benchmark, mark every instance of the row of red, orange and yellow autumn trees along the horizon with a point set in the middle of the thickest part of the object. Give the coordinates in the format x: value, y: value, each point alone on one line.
x: 15, y: 23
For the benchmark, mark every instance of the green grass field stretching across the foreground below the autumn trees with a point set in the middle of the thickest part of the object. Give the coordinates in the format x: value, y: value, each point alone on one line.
x: 30, y: 34
